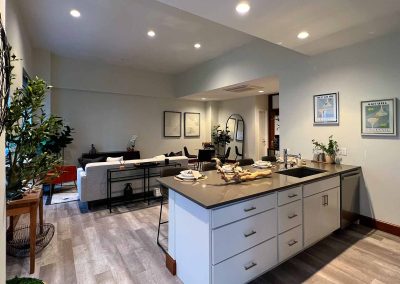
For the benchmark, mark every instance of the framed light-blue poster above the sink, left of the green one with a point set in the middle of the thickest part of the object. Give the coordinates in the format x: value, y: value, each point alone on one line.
x: 326, y: 109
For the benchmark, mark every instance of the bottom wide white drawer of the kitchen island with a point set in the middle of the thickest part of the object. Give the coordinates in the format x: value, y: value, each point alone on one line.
x: 247, y: 265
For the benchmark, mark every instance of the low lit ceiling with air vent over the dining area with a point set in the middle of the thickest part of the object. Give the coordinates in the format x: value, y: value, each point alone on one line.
x: 269, y: 85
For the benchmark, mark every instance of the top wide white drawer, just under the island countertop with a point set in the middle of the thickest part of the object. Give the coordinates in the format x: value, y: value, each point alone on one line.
x: 231, y: 213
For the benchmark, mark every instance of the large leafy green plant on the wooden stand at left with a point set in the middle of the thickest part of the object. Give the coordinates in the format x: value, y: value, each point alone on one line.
x: 27, y: 128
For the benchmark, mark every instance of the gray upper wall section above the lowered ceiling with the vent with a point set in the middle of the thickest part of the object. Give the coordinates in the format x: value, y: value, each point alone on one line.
x: 254, y: 60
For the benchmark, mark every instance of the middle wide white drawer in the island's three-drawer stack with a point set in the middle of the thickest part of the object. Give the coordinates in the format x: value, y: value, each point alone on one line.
x: 241, y: 235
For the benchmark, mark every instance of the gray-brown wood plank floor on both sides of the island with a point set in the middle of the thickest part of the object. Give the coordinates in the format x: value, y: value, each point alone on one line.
x: 98, y: 247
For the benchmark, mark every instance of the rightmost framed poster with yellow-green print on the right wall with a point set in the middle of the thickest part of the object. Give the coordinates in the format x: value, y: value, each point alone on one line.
x: 379, y: 117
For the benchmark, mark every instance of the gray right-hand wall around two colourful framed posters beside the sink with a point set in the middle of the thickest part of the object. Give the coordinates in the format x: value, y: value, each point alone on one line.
x: 366, y: 71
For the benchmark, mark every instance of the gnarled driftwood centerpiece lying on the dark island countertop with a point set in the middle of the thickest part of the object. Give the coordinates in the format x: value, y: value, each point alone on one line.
x: 238, y: 174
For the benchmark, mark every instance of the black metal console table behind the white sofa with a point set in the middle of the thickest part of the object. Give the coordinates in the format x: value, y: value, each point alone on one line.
x: 129, y: 173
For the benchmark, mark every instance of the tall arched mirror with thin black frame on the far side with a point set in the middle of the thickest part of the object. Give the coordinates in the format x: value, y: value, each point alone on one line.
x: 235, y: 149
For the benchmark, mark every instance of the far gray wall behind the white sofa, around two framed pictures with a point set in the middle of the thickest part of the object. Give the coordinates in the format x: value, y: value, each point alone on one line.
x: 106, y: 105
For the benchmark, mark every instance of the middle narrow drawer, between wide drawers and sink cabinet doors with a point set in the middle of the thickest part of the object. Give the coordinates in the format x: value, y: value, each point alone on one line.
x: 290, y: 216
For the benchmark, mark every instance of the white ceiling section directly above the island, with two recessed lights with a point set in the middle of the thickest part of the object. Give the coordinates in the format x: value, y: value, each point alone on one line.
x: 331, y: 23
